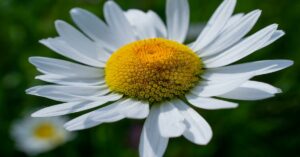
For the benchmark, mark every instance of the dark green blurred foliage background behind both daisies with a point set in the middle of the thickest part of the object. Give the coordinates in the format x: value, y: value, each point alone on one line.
x: 255, y: 129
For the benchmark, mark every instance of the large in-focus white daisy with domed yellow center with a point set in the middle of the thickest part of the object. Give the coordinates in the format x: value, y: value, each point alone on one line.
x: 135, y: 66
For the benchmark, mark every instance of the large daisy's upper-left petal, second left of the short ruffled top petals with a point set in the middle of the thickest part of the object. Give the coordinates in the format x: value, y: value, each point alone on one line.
x: 95, y: 28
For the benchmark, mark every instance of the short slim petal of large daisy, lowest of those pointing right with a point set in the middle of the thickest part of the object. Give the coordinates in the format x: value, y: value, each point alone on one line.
x: 209, y: 103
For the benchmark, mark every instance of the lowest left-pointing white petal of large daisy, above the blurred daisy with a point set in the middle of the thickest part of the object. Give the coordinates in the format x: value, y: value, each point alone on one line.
x: 106, y: 114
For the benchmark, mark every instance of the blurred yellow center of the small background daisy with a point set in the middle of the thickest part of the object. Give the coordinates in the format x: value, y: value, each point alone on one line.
x: 44, y: 131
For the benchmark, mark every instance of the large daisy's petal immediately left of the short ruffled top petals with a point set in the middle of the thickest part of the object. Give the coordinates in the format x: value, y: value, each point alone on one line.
x: 117, y: 22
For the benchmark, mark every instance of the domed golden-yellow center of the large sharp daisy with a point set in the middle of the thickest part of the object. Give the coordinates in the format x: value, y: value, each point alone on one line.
x: 153, y: 70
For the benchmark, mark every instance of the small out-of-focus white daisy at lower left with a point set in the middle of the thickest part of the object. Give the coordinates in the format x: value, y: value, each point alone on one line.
x: 37, y: 135
